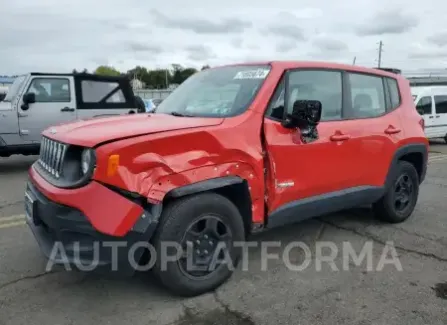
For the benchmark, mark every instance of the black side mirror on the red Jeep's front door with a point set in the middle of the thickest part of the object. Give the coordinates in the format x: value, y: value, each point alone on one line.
x: 305, y: 113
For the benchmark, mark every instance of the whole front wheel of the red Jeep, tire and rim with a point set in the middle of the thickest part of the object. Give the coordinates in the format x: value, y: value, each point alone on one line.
x: 205, y: 227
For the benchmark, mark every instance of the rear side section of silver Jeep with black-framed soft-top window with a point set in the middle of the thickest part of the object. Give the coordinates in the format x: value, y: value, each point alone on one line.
x: 99, y: 96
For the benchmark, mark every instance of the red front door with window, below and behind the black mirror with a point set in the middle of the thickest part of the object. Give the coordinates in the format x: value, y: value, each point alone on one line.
x: 323, y: 167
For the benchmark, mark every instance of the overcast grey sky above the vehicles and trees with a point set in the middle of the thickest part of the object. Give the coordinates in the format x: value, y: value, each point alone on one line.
x: 60, y: 35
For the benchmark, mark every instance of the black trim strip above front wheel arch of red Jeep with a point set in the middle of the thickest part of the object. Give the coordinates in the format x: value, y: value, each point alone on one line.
x: 203, y: 186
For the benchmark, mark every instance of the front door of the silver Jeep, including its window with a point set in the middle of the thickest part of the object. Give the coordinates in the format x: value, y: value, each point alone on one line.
x: 55, y: 104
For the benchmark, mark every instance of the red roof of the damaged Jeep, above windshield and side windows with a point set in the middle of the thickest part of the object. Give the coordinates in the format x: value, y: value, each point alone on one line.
x: 321, y: 65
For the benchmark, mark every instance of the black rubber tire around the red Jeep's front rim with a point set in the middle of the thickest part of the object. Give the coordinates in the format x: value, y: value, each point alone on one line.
x: 176, y: 218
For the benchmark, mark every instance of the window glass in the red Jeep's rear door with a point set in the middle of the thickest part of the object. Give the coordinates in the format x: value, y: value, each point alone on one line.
x: 367, y: 95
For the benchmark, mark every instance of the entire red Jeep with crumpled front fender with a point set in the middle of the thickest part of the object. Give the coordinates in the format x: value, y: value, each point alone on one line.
x: 233, y: 150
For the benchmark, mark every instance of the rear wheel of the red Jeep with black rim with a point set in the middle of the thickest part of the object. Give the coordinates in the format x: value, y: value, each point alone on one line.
x: 401, y: 197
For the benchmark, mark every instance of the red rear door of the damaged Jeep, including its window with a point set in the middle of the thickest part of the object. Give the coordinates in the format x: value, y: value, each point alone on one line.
x: 373, y: 124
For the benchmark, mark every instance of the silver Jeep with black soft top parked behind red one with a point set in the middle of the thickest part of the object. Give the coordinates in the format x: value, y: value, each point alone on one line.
x: 36, y: 101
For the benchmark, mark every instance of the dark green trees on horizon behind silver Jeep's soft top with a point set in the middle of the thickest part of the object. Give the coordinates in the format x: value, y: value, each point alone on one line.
x: 152, y: 78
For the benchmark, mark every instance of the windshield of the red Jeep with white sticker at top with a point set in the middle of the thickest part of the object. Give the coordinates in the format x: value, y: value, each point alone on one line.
x: 218, y: 92
